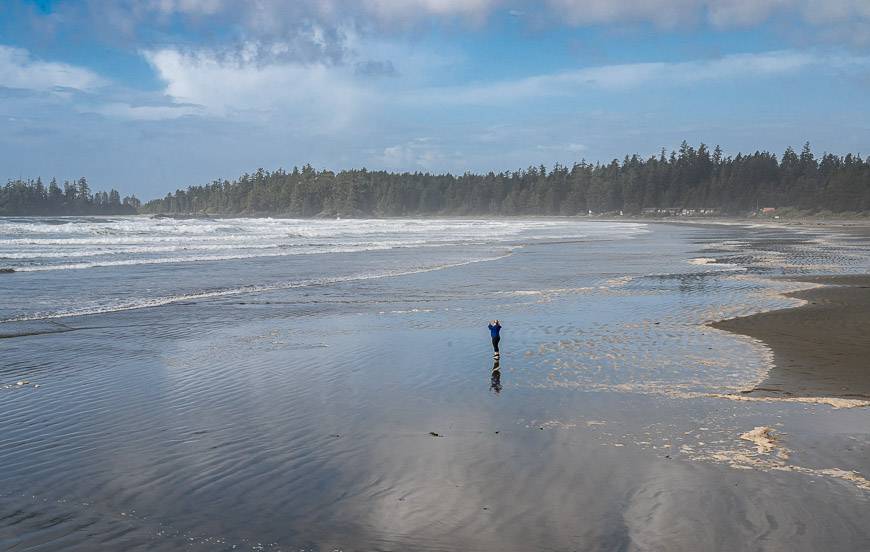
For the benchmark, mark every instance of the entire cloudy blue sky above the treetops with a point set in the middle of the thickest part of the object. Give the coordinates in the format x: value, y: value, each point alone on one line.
x: 153, y: 95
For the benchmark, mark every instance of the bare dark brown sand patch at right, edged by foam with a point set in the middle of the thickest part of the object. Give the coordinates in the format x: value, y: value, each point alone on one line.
x: 821, y: 348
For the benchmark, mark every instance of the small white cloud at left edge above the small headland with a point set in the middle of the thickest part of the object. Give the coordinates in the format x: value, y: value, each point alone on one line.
x: 18, y: 69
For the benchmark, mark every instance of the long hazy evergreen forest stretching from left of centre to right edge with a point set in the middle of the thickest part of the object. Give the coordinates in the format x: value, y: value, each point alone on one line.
x: 691, y: 178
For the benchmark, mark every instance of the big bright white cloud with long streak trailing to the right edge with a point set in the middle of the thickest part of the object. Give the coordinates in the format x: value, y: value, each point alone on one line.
x: 329, y: 98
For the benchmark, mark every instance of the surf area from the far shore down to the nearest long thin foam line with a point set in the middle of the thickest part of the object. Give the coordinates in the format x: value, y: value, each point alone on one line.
x: 73, y: 266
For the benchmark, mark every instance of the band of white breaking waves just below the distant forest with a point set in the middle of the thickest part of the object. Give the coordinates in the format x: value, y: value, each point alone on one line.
x: 74, y: 243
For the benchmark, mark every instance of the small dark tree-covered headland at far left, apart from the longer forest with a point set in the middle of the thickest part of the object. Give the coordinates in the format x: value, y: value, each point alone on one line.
x: 32, y: 197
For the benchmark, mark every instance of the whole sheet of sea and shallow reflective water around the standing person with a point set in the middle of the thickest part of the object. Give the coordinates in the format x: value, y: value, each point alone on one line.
x: 286, y: 402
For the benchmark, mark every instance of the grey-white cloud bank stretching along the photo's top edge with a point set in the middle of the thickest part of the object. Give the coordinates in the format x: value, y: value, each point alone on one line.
x: 281, y: 18
